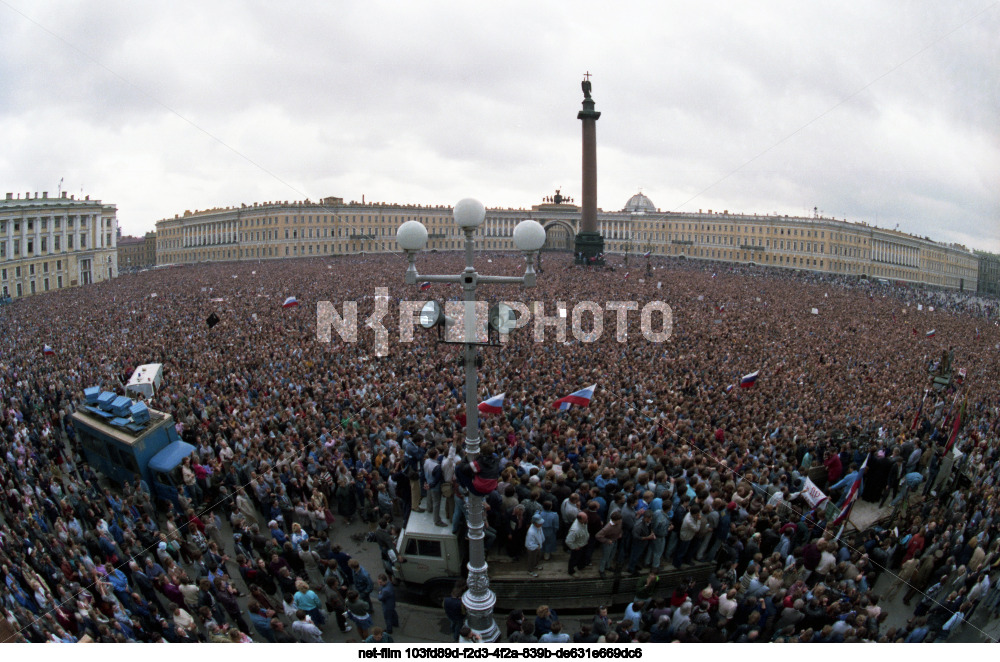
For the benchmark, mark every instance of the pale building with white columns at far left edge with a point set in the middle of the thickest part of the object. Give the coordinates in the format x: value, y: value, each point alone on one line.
x: 53, y: 243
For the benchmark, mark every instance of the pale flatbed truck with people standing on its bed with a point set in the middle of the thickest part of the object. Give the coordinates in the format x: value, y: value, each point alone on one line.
x: 431, y: 562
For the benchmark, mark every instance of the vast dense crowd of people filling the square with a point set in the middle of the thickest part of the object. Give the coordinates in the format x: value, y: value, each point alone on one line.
x: 296, y: 437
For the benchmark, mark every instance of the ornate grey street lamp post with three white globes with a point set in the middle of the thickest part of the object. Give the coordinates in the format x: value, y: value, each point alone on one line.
x: 529, y: 236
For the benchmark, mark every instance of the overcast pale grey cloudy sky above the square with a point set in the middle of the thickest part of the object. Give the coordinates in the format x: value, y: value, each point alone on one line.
x: 884, y: 112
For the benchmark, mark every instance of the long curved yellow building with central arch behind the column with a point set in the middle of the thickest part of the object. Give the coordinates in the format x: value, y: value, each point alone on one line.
x: 274, y: 230
